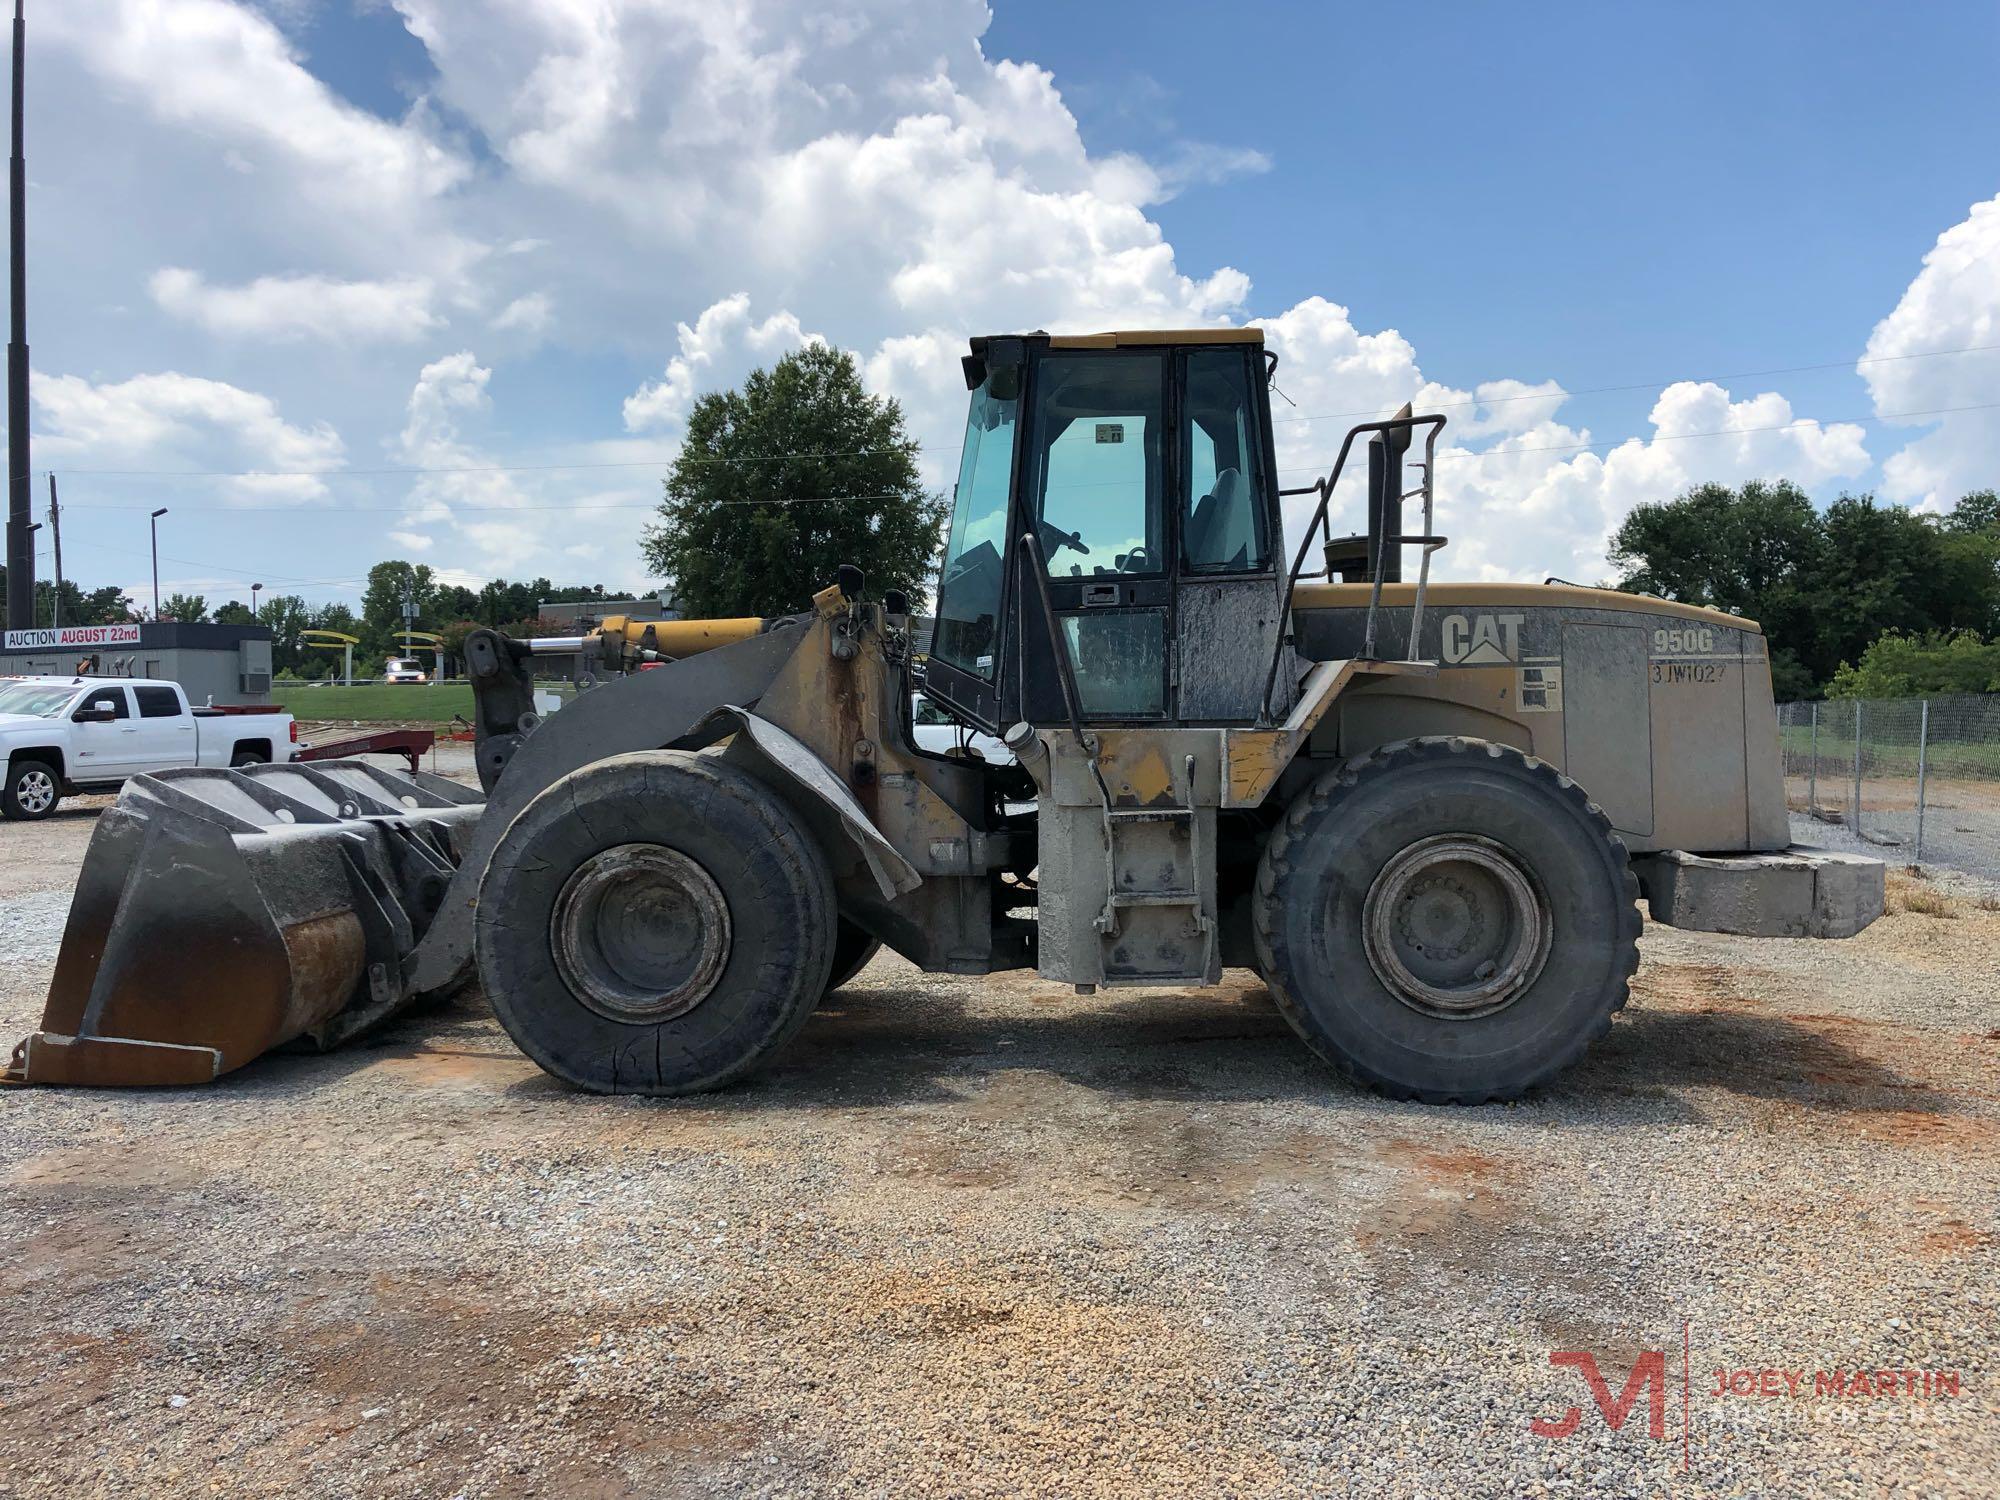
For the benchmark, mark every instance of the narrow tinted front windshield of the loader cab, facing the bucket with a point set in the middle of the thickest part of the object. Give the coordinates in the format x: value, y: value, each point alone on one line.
x: 969, y: 595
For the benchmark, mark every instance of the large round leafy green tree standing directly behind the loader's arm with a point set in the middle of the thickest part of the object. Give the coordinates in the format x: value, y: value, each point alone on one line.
x: 783, y: 481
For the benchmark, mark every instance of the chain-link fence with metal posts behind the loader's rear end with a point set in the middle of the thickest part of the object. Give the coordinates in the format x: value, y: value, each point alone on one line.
x: 1907, y: 779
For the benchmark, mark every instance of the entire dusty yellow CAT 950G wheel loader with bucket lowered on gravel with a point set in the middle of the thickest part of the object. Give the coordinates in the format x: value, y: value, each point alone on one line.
x: 1423, y: 813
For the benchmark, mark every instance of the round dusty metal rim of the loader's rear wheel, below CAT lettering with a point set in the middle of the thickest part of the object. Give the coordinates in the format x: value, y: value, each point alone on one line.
x: 1457, y: 927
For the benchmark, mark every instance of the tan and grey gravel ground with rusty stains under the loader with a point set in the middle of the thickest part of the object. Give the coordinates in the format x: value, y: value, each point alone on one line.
x: 985, y: 1237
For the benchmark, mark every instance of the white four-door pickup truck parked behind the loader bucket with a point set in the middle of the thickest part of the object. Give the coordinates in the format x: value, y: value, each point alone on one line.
x: 87, y: 735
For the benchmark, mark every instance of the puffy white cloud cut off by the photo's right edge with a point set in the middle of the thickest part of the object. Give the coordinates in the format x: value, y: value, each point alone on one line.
x: 1953, y: 305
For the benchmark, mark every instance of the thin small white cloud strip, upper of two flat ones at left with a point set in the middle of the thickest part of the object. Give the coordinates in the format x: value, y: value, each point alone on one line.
x: 301, y: 307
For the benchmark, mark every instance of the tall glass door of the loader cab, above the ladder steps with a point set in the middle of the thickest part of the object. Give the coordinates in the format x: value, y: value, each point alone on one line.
x: 1097, y: 455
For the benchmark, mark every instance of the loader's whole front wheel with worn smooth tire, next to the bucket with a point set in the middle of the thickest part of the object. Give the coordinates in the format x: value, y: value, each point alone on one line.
x: 655, y: 925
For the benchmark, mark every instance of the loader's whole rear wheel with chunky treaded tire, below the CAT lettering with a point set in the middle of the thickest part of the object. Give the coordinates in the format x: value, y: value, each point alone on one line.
x: 1447, y: 921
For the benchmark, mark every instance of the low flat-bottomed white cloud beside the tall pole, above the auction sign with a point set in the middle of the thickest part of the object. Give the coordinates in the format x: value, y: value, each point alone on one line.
x: 177, y: 421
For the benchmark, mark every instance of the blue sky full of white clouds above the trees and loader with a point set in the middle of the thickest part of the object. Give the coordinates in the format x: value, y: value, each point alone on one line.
x: 339, y: 281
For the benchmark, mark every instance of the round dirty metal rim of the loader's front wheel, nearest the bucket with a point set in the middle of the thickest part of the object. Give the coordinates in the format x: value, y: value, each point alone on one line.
x: 641, y: 933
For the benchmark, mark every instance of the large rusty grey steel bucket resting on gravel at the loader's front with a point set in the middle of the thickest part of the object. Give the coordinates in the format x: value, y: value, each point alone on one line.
x: 225, y: 913
